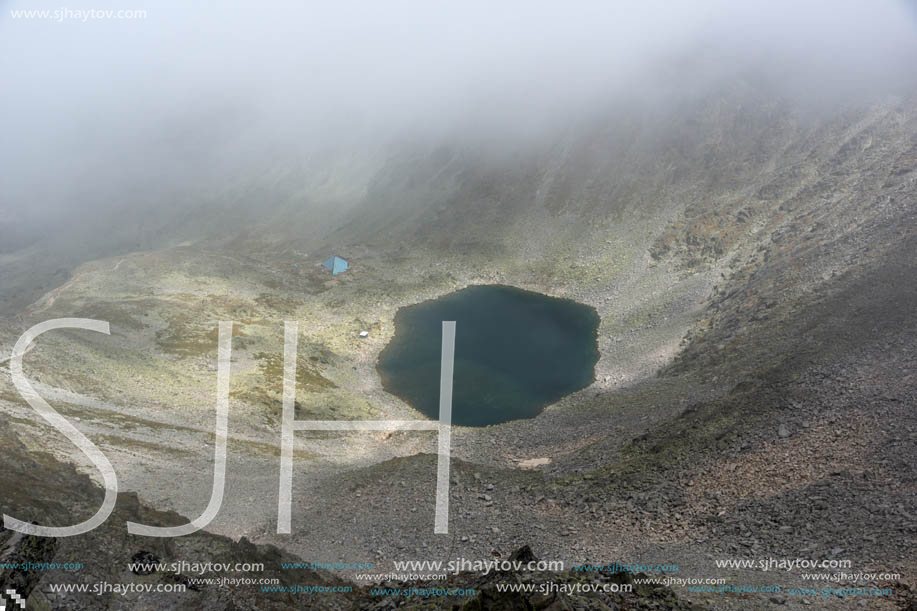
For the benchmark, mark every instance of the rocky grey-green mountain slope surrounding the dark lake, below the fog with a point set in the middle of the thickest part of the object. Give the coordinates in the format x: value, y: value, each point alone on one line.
x: 752, y: 262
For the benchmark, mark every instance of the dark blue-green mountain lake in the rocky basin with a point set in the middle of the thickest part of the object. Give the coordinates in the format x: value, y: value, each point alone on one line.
x: 515, y: 353
